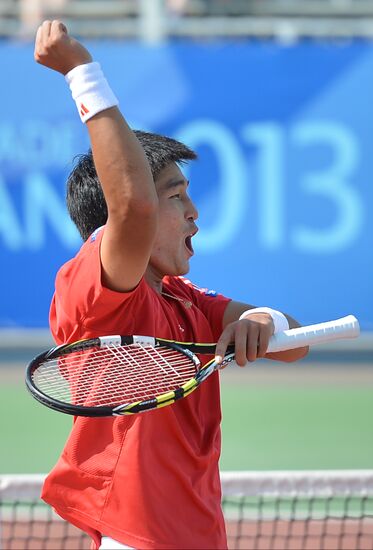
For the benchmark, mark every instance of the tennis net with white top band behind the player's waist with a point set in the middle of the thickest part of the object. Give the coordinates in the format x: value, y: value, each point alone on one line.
x: 330, y: 510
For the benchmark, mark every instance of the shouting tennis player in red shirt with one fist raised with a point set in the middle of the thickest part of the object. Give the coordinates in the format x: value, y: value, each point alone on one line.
x: 146, y: 481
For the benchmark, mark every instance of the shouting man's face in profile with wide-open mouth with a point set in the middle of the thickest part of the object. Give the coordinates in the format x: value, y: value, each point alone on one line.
x: 172, y: 247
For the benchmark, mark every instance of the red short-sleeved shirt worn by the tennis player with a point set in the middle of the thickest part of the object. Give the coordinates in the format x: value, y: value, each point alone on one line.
x: 150, y: 480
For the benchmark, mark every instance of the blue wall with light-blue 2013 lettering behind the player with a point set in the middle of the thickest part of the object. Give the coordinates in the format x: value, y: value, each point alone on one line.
x: 284, y: 184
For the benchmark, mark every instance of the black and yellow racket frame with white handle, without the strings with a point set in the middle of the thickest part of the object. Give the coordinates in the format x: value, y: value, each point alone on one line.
x: 347, y: 327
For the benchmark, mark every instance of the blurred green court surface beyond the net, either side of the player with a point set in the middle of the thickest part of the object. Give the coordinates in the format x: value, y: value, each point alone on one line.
x: 274, y: 417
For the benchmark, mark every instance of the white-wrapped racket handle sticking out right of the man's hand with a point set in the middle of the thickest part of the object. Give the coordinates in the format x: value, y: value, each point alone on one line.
x: 346, y: 327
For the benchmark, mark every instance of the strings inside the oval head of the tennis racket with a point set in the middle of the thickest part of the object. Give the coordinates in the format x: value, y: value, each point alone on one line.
x: 114, y: 375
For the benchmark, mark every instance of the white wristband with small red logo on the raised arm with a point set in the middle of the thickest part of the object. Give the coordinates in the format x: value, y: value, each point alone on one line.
x: 90, y: 90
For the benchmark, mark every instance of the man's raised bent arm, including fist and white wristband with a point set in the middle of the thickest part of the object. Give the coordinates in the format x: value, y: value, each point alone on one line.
x: 120, y: 161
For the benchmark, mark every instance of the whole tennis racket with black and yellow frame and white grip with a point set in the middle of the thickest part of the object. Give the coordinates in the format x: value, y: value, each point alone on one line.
x: 124, y: 375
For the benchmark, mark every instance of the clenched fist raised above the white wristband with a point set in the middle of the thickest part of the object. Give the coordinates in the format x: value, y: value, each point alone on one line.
x: 54, y: 48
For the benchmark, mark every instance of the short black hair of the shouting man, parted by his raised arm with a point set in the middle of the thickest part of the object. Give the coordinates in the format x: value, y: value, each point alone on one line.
x: 85, y: 199
